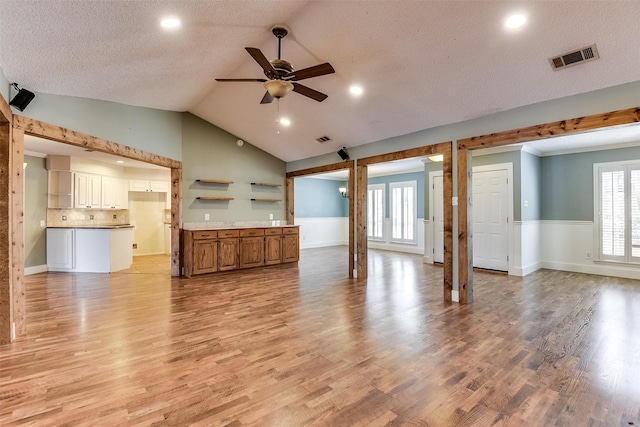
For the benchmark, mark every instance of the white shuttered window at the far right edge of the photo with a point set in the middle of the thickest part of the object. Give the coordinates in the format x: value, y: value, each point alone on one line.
x: 618, y: 211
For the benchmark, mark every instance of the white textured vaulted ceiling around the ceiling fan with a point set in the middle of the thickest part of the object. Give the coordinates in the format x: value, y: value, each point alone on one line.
x: 422, y: 63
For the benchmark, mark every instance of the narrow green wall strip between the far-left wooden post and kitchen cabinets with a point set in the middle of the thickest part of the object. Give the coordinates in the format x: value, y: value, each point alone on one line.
x: 35, y: 198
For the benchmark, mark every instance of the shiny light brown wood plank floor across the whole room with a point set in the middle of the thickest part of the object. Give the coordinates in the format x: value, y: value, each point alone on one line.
x: 302, y: 345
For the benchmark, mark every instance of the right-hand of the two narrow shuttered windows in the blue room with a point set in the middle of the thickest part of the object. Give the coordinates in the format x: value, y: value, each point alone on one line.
x: 403, y: 211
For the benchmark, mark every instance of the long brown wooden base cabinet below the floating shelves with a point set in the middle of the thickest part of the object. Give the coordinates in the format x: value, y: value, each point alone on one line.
x: 208, y: 251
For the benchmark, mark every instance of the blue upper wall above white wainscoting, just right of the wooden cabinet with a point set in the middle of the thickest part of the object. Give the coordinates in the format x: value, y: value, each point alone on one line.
x: 319, y: 198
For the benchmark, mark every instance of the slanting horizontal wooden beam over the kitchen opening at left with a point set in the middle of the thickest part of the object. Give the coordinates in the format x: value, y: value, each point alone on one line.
x: 79, y: 139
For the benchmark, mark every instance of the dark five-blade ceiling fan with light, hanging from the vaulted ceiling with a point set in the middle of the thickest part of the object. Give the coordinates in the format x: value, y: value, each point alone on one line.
x: 281, y: 77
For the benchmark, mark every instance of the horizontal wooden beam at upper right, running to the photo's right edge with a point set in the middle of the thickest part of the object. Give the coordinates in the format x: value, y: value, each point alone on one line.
x: 548, y: 130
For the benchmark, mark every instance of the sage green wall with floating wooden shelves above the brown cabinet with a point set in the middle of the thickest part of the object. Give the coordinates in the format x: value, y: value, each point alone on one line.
x: 209, y: 152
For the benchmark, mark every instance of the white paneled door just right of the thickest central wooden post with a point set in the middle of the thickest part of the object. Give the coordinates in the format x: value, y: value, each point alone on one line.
x: 490, y: 220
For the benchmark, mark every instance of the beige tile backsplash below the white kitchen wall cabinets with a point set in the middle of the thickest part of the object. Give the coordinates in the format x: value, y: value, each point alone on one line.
x: 86, y: 217
